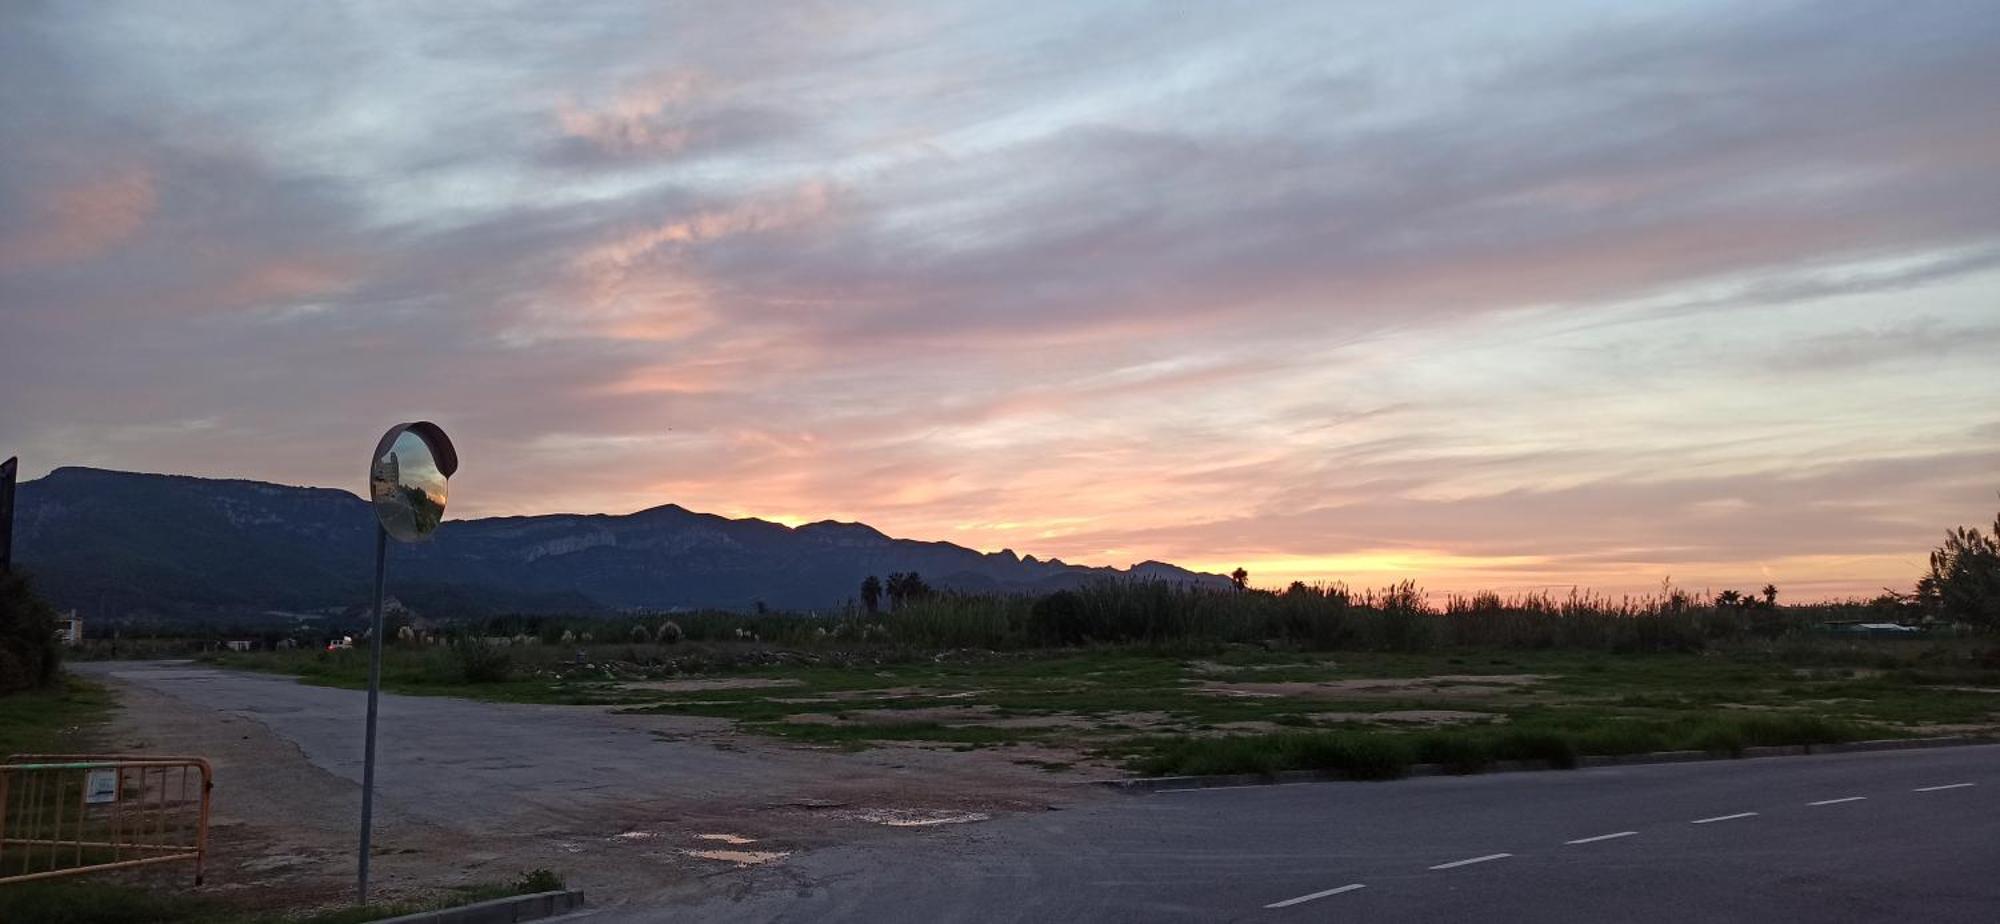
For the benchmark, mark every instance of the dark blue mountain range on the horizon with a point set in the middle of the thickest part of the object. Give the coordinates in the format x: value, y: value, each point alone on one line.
x: 177, y: 547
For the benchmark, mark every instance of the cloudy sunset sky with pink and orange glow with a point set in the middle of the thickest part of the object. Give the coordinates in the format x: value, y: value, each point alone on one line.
x: 1505, y: 297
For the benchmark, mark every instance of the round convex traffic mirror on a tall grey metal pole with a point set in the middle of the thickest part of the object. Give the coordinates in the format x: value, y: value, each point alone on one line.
x: 407, y: 489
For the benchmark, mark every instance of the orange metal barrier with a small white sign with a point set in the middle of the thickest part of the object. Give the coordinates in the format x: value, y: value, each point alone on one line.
x: 65, y: 815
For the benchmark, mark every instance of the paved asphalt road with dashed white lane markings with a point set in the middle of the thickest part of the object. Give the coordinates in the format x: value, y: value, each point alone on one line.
x: 1819, y: 839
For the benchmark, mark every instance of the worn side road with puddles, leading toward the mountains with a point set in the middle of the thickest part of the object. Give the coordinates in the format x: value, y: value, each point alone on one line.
x: 481, y: 793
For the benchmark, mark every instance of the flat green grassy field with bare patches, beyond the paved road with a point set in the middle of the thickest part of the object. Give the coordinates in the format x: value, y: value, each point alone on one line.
x: 1585, y: 703
